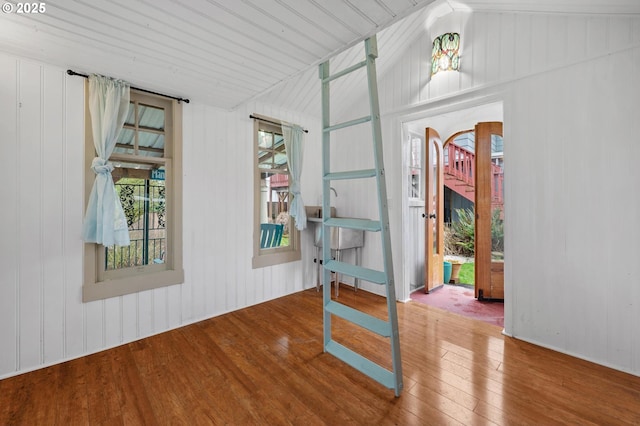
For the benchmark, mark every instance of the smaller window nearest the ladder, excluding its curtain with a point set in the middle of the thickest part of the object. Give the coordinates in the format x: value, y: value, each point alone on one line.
x: 276, y: 239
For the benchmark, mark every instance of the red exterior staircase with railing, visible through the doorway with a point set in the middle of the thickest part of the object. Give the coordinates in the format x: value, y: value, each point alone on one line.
x: 459, y: 173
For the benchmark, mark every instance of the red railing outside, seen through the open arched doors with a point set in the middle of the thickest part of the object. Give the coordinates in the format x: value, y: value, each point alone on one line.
x: 459, y: 163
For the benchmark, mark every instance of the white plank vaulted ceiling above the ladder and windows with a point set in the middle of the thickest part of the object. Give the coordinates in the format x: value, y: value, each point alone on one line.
x: 225, y: 52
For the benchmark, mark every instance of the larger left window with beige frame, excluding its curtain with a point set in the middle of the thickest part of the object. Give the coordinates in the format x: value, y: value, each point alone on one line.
x: 147, y: 176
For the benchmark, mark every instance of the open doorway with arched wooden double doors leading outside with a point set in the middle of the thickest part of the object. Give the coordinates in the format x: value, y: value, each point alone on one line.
x: 458, y: 210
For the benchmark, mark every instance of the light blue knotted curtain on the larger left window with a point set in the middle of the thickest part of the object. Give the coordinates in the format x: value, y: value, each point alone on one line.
x: 104, y: 221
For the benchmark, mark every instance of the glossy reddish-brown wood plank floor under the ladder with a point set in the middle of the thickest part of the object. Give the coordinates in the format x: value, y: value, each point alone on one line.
x: 265, y: 365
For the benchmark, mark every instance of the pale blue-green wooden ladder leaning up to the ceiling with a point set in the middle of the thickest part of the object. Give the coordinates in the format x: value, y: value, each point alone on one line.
x: 391, y: 379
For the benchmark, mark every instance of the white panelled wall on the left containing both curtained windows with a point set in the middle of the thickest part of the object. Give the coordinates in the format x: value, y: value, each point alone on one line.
x: 42, y: 317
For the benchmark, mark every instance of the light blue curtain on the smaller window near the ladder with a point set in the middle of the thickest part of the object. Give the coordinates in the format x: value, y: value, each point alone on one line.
x: 294, y: 144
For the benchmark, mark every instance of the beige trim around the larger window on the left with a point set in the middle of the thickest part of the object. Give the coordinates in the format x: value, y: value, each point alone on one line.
x: 133, y: 280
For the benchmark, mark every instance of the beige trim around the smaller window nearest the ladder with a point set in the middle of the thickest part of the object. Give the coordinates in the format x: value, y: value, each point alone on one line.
x: 273, y: 256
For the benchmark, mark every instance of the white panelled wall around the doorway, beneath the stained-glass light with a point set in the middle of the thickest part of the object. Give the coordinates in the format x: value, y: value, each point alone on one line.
x: 571, y: 92
